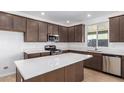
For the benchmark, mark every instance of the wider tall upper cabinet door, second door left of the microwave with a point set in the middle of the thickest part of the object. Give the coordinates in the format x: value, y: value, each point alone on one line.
x: 31, y: 34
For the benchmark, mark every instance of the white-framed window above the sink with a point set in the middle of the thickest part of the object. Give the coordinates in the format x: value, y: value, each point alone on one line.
x: 98, y: 35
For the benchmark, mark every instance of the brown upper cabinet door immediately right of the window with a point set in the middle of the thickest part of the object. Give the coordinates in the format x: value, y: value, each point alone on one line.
x: 114, y: 29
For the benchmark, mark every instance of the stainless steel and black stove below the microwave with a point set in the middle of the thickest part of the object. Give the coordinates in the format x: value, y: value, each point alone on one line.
x: 53, y: 50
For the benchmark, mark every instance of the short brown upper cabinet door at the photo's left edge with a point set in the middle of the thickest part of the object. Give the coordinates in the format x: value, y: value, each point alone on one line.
x: 5, y: 21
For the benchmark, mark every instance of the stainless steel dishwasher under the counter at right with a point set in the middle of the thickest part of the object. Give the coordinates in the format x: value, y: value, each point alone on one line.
x: 112, y: 64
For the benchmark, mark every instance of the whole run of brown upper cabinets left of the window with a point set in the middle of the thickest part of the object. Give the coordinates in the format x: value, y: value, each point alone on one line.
x: 35, y: 31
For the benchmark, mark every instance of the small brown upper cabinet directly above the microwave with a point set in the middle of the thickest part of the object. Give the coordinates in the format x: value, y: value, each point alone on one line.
x: 52, y: 29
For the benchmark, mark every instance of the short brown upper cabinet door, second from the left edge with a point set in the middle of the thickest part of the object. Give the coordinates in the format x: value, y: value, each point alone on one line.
x: 19, y: 23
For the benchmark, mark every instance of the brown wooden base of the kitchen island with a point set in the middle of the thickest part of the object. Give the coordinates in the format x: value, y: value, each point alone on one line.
x: 71, y: 73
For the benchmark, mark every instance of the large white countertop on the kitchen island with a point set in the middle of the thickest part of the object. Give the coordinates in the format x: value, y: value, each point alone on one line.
x: 36, y: 66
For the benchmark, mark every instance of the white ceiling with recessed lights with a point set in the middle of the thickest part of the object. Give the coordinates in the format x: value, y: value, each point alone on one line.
x: 73, y: 16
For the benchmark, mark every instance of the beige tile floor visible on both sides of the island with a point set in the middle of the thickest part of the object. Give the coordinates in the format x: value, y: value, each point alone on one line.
x: 89, y: 76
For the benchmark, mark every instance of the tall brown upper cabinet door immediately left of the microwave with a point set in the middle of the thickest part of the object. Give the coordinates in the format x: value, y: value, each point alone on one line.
x: 42, y: 32
